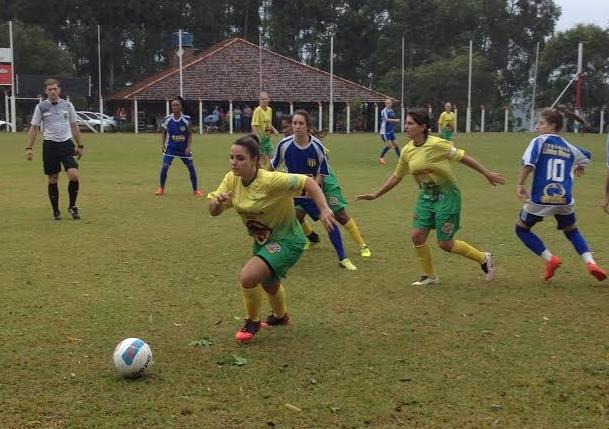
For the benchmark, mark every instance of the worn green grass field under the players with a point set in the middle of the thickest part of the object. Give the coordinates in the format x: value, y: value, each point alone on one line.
x: 364, y: 348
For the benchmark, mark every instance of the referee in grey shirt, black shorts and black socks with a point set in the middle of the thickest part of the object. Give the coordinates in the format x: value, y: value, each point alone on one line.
x: 58, y: 118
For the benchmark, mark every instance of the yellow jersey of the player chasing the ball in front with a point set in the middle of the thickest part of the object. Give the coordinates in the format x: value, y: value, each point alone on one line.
x: 266, y: 206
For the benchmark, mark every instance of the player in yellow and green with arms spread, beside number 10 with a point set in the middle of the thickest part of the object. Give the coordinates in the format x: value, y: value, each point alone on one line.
x: 438, y: 206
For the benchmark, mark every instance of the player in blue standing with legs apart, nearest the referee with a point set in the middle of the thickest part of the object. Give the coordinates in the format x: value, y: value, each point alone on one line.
x: 175, y: 143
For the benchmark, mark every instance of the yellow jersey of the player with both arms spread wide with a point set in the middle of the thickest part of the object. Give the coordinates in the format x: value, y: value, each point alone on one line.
x: 429, y: 164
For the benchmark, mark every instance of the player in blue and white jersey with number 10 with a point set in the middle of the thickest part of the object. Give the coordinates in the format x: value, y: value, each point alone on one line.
x: 553, y: 162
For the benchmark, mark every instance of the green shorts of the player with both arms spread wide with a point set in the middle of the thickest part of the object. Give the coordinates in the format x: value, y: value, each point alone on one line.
x: 442, y: 214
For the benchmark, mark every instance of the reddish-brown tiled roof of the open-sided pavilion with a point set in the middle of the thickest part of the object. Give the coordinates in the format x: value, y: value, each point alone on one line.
x: 229, y: 71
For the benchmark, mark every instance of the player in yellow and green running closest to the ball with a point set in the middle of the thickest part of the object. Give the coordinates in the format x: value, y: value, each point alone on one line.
x: 264, y: 200
